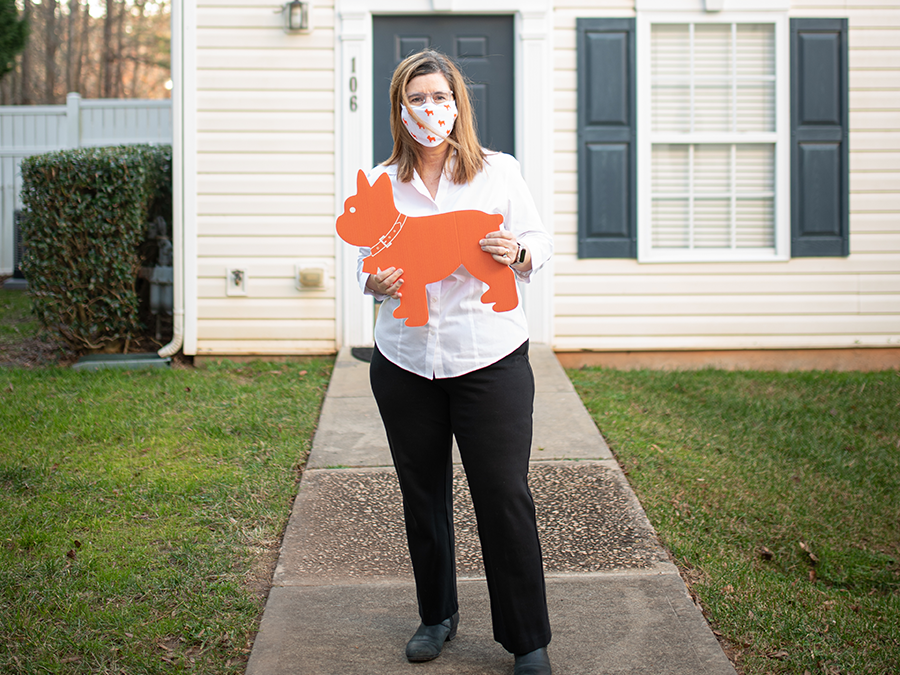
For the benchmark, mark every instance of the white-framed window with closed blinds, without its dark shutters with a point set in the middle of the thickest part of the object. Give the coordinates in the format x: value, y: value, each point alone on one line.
x: 712, y: 140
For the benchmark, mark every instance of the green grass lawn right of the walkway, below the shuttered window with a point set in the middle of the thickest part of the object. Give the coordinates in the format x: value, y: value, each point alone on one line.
x: 779, y: 497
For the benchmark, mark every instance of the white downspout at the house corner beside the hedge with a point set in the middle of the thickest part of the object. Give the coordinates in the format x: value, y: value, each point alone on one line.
x: 177, y: 183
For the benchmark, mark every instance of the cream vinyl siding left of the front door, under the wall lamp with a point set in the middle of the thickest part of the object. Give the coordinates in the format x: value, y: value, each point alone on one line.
x: 265, y: 178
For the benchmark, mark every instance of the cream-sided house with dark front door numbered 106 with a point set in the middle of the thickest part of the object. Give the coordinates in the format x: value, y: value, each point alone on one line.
x: 721, y: 177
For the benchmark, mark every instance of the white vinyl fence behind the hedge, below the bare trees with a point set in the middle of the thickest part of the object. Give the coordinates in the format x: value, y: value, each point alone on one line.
x: 32, y: 130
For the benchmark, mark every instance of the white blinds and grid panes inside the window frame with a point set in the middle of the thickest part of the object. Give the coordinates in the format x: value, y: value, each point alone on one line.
x: 712, y: 137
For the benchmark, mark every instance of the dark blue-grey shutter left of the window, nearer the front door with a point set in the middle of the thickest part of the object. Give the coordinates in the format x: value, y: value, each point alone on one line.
x: 607, y: 152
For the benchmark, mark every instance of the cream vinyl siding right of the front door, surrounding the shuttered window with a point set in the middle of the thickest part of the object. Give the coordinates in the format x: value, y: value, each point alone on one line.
x: 608, y: 304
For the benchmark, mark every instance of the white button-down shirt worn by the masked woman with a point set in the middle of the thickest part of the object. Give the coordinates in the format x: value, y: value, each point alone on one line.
x: 462, y: 334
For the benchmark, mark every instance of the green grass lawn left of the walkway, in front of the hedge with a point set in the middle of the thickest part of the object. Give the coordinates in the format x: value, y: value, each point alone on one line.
x: 141, y: 512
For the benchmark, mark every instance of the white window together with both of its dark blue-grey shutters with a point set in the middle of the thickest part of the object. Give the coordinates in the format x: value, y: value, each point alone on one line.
x: 712, y: 137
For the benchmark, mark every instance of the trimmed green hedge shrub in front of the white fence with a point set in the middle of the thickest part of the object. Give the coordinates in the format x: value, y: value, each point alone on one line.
x: 86, y: 214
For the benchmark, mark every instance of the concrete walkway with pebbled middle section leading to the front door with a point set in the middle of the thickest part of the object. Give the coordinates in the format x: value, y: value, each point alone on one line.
x: 343, y: 599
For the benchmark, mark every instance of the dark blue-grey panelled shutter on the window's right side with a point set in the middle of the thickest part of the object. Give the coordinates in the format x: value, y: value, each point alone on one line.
x: 820, y: 171
